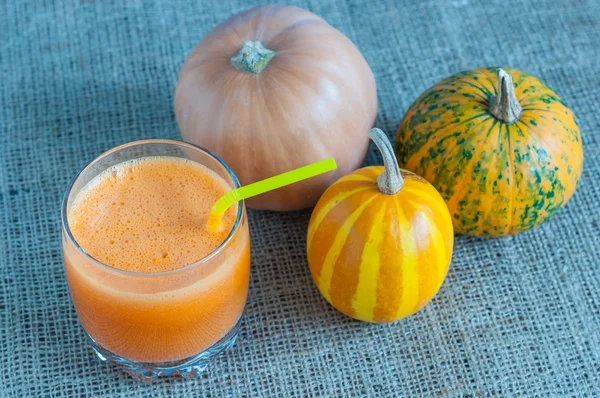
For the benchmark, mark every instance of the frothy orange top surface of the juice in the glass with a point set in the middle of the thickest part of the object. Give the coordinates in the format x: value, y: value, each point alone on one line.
x: 150, y: 214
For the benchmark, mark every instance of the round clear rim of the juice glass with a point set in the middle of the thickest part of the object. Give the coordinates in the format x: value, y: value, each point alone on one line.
x: 203, y: 260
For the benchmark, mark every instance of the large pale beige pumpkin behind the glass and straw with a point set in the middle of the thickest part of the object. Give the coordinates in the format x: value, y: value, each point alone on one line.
x: 276, y: 88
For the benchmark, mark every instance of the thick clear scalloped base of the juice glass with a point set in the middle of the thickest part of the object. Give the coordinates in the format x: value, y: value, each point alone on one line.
x: 147, y: 372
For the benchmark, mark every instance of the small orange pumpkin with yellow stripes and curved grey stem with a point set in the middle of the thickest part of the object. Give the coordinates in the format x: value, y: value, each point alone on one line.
x: 380, y: 241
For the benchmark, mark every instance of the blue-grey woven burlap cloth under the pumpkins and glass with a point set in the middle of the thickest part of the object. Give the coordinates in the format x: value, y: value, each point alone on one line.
x: 515, y: 316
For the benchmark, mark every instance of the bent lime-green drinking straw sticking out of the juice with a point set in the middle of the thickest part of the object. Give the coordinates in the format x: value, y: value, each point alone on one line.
x: 269, y: 184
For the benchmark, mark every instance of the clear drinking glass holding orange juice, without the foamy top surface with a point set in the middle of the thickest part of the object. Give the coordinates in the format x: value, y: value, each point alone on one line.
x: 163, y: 323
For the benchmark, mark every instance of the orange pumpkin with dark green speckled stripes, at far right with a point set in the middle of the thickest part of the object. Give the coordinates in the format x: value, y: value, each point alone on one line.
x: 504, y: 157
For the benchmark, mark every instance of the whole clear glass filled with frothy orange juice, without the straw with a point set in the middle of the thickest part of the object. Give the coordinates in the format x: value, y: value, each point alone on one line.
x: 156, y: 292
